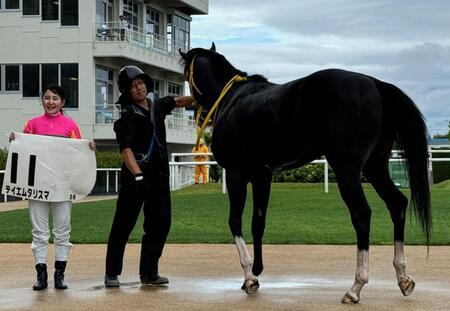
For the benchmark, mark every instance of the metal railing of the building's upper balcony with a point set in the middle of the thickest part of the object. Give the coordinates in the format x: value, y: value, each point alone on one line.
x: 112, y: 31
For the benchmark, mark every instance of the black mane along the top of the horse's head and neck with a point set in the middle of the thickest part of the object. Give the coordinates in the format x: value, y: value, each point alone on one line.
x: 220, y: 60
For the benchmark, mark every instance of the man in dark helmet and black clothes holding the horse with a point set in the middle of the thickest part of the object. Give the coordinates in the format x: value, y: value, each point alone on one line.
x: 141, y: 136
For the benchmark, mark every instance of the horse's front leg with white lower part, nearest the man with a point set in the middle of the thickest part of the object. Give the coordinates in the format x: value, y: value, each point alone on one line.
x: 237, y: 193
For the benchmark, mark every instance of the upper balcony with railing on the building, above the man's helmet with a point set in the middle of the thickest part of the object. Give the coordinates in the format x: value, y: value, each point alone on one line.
x: 110, y: 40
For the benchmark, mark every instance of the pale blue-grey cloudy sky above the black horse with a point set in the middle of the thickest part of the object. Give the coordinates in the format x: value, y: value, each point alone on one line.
x: 405, y: 42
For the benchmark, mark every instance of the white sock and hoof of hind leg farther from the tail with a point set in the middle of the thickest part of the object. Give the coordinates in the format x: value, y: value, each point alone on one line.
x: 361, y: 277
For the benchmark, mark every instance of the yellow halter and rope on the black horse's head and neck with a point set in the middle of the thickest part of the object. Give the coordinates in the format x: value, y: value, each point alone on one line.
x: 226, y: 88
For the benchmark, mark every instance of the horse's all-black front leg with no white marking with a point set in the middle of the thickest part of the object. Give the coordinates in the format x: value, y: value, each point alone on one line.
x: 261, y: 181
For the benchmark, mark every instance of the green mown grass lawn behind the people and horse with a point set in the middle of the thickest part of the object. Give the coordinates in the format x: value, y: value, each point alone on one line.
x: 297, y: 214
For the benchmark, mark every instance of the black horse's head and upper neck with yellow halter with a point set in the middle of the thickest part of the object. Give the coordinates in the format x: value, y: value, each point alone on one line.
x: 208, y: 73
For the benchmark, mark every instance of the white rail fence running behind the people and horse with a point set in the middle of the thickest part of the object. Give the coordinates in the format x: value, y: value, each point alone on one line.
x: 182, y: 172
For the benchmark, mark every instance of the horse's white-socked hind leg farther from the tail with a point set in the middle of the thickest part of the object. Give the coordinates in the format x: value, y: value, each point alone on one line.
x: 349, y: 183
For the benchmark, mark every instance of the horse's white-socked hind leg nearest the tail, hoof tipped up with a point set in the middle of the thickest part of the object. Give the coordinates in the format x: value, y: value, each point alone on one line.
x: 396, y: 203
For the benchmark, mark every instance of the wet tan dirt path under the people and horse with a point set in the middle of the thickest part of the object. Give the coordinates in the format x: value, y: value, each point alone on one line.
x: 208, y: 277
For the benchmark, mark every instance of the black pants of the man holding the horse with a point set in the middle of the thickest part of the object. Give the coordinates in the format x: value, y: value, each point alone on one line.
x: 157, y: 219
